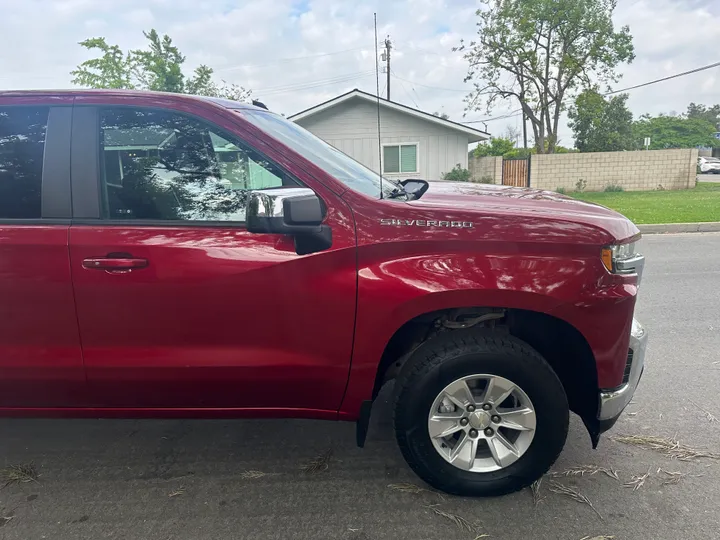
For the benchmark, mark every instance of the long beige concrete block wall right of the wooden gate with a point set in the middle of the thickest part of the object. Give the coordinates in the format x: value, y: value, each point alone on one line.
x: 634, y: 171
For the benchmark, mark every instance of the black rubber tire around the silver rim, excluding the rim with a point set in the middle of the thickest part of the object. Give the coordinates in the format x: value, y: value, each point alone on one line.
x: 460, y: 353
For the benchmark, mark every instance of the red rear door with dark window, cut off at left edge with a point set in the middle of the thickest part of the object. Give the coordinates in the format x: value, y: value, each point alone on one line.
x: 40, y: 357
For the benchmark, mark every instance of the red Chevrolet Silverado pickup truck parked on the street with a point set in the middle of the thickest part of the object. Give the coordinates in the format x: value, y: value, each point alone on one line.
x: 175, y: 256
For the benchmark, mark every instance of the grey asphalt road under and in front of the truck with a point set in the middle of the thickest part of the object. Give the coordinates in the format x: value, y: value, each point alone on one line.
x: 183, y: 479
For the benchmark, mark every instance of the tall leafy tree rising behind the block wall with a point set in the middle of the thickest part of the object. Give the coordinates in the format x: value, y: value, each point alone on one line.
x: 540, y: 53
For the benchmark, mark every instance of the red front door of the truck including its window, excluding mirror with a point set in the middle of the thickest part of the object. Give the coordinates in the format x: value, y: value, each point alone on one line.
x: 178, y: 304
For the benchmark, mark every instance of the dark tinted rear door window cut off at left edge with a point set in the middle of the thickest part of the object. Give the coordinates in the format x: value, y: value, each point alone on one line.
x: 22, y: 144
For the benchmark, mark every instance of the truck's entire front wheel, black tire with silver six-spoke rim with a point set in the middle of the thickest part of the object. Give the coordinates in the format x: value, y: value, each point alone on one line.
x: 479, y: 413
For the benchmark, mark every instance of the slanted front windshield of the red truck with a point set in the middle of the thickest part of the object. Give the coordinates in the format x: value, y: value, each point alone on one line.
x: 348, y: 171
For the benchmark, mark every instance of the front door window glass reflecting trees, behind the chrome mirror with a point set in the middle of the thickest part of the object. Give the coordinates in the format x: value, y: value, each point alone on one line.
x: 162, y: 165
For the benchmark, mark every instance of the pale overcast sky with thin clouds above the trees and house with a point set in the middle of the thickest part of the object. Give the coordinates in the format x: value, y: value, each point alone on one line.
x: 296, y: 53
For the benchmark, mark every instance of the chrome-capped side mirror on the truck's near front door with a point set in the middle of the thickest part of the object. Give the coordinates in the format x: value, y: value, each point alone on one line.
x: 293, y: 211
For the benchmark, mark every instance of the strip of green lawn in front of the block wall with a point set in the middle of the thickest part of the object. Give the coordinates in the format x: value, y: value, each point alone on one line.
x: 682, y: 206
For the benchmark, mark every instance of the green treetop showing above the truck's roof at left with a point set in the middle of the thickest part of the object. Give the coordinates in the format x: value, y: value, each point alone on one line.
x: 159, y: 67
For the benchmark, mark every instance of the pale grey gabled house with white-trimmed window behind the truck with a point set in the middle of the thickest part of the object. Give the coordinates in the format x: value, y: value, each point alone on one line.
x: 415, y: 144
